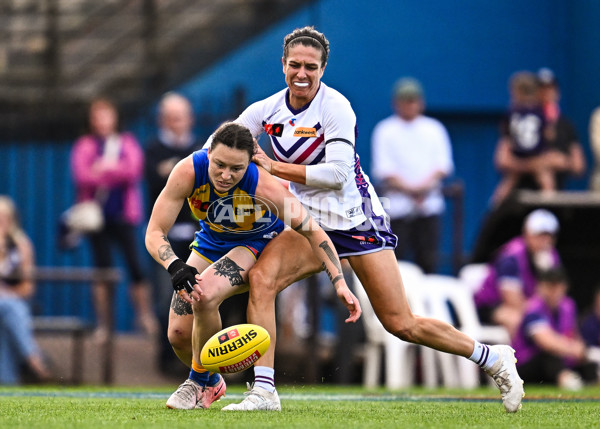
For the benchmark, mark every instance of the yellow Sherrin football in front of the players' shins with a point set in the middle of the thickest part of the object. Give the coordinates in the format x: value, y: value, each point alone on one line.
x: 235, y: 349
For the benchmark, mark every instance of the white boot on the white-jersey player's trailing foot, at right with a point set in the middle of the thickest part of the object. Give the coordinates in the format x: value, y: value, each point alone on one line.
x: 504, y: 372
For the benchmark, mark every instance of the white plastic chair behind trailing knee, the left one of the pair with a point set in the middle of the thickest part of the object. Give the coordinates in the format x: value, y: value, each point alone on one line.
x: 399, y: 355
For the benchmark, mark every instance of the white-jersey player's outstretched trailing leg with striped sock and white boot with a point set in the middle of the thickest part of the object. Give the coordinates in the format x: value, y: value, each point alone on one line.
x: 380, y: 276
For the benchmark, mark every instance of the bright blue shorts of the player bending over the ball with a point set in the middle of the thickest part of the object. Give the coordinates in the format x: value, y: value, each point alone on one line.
x: 212, y: 250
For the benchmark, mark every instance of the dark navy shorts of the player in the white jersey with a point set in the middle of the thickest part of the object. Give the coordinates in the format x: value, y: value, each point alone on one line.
x: 365, y: 238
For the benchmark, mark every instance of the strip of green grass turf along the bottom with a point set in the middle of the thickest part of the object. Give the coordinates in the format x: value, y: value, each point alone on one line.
x: 308, y: 406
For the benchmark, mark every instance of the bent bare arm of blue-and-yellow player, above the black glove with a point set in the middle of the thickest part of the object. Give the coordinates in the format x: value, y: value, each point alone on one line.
x: 165, y: 211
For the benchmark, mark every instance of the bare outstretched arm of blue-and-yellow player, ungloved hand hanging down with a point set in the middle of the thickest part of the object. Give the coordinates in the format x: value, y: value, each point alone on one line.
x: 291, y: 211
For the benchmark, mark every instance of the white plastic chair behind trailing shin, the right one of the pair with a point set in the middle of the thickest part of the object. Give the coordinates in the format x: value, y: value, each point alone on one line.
x: 444, y: 289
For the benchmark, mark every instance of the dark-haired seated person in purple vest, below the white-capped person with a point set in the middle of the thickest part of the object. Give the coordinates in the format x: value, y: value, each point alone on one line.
x: 548, y: 345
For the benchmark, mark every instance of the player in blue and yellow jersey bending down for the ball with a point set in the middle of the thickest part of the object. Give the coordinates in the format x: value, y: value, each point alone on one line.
x: 240, y: 208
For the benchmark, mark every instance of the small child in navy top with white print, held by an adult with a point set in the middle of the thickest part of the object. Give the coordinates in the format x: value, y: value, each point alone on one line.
x: 521, y: 154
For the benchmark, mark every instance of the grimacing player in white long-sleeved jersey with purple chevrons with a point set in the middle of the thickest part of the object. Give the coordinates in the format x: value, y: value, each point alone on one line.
x: 312, y: 130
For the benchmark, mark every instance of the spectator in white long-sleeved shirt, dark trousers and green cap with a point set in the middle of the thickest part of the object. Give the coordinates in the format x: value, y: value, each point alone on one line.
x: 412, y: 154
